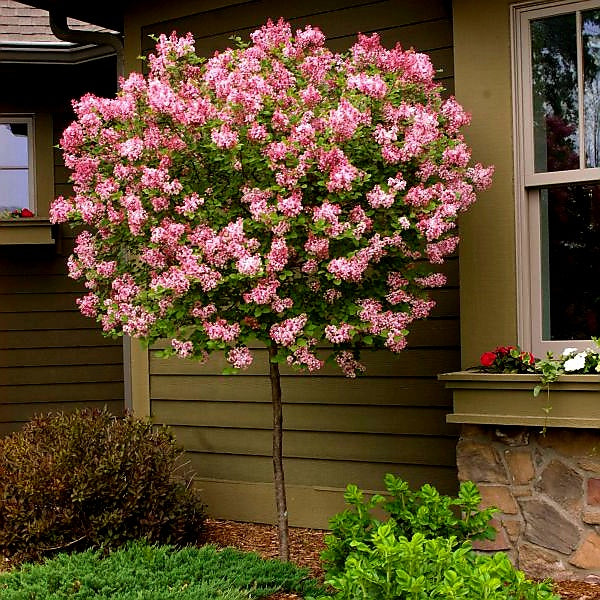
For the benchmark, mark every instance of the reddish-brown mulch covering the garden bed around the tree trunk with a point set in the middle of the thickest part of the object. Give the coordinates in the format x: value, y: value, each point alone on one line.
x: 307, y: 544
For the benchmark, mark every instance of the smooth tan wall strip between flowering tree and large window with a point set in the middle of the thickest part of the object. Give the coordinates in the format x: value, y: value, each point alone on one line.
x: 482, y: 58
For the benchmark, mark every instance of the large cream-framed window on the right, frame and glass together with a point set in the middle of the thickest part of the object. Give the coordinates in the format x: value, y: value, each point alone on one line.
x: 557, y: 130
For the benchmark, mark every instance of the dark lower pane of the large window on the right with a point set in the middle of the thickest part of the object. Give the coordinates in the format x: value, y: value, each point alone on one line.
x: 570, y: 251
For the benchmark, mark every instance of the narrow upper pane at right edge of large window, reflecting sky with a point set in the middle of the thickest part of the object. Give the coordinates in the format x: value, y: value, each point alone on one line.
x: 590, y: 23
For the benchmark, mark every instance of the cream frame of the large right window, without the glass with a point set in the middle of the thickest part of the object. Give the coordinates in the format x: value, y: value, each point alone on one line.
x: 528, y: 182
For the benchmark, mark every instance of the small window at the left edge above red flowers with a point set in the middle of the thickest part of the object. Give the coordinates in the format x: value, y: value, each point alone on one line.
x: 17, y: 182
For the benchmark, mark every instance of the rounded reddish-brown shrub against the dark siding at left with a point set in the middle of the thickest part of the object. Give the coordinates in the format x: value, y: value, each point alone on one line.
x: 90, y: 479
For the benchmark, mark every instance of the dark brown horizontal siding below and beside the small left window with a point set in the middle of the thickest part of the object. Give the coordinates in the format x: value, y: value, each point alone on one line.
x: 51, y: 357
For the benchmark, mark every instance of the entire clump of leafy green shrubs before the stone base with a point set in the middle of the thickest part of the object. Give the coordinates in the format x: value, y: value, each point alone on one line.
x: 421, y: 551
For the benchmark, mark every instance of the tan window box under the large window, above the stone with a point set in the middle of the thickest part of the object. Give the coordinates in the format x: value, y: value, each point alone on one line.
x: 507, y: 399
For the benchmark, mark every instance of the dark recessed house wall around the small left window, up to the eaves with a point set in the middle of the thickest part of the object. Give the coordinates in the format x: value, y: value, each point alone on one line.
x: 51, y: 357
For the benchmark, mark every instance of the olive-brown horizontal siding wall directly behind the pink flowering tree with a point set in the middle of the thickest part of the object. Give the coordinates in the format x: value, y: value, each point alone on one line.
x: 336, y: 430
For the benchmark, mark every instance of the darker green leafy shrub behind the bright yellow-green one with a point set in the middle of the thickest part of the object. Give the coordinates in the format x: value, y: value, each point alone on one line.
x: 424, y: 511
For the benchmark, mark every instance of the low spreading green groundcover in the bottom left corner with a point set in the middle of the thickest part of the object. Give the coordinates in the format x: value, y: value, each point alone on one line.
x: 139, y: 571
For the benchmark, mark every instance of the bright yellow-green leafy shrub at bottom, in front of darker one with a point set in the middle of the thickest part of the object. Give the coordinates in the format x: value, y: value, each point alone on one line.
x: 392, y: 566
